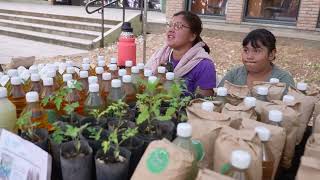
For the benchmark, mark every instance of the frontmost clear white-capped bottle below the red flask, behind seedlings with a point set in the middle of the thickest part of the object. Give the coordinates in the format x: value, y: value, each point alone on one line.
x: 116, y: 92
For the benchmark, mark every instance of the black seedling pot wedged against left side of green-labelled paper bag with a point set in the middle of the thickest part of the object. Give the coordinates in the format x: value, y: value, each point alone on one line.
x: 136, y: 147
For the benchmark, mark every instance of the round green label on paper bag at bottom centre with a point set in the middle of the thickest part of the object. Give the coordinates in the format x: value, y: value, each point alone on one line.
x: 158, y: 160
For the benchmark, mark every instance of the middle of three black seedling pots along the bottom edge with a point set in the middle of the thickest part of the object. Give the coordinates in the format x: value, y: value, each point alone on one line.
x: 112, y: 171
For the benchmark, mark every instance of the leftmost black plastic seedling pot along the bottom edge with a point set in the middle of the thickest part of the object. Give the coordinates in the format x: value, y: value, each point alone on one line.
x: 78, y: 167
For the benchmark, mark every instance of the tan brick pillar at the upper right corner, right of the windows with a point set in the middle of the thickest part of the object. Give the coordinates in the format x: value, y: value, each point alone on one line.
x: 308, y: 14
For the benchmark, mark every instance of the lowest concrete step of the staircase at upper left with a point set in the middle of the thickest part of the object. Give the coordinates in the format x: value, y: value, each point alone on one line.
x: 47, y: 38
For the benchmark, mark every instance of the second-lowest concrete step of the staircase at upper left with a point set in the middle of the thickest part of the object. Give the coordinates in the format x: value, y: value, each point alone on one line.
x: 68, y: 32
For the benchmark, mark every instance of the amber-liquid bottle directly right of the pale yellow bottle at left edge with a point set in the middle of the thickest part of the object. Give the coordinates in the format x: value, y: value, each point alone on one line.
x: 17, y: 95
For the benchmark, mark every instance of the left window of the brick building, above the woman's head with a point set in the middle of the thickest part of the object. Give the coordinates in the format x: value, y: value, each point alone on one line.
x: 209, y: 7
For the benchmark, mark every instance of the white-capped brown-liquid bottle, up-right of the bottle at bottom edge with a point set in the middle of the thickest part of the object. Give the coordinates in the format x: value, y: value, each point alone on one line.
x: 267, y: 156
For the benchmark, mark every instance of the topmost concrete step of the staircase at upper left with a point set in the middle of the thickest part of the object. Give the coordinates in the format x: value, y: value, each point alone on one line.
x: 58, y: 16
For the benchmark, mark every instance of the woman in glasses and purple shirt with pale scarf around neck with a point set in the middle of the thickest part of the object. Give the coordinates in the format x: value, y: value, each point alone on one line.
x: 186, y: 54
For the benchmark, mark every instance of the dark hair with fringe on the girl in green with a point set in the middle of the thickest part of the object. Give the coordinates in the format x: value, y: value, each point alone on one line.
x: 263, y: 36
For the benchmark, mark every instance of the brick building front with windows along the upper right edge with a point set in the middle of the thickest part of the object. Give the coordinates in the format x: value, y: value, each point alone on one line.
x: 298, y: 14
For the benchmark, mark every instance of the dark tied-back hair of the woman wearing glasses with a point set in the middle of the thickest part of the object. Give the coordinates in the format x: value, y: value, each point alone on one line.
x: 195, y: 25
